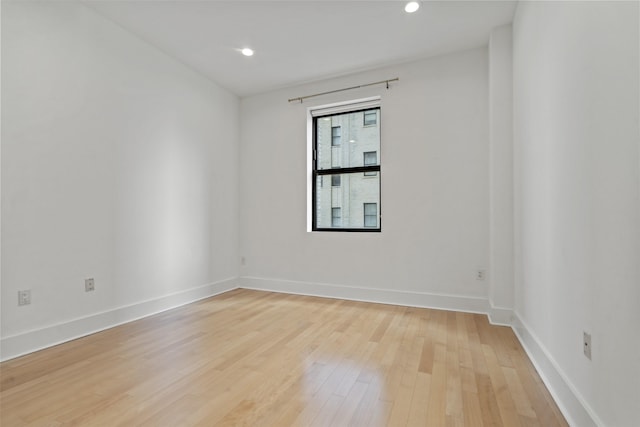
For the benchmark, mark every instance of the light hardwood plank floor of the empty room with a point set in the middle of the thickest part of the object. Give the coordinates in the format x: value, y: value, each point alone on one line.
x: 248, y: 358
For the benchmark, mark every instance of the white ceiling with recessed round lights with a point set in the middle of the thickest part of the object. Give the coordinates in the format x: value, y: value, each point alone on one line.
x: 304, y: 40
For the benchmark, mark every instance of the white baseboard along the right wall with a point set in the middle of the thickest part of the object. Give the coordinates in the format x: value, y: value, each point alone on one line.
x: 572, y: 405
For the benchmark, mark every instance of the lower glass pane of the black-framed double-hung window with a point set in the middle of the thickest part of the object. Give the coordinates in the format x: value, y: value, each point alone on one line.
x: 356, y: 202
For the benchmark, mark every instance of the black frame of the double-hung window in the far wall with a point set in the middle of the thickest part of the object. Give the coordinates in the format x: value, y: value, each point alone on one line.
x: 339, y: 171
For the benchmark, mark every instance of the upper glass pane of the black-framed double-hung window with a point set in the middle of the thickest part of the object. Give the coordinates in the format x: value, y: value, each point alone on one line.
x: 342, y: 139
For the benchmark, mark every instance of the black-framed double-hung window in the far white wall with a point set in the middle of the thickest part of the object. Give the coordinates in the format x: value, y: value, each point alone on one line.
x: 353, y: 166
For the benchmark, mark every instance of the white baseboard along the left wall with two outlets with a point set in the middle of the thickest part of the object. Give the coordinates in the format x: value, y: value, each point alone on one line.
x: 28, y: 342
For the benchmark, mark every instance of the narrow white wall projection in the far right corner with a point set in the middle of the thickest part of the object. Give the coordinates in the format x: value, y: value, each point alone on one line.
x: 501, y: 170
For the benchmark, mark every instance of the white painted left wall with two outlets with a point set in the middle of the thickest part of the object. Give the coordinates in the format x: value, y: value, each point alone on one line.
x: 118, y: 163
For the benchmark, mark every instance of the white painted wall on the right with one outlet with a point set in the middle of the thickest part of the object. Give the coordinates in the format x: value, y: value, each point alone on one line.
x: 576, y: 121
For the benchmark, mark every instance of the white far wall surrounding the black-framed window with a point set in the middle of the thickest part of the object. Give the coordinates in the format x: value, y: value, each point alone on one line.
x: 435, y: 189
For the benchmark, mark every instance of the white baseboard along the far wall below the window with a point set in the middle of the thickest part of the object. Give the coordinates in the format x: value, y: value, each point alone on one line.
x: 383, y: 296
